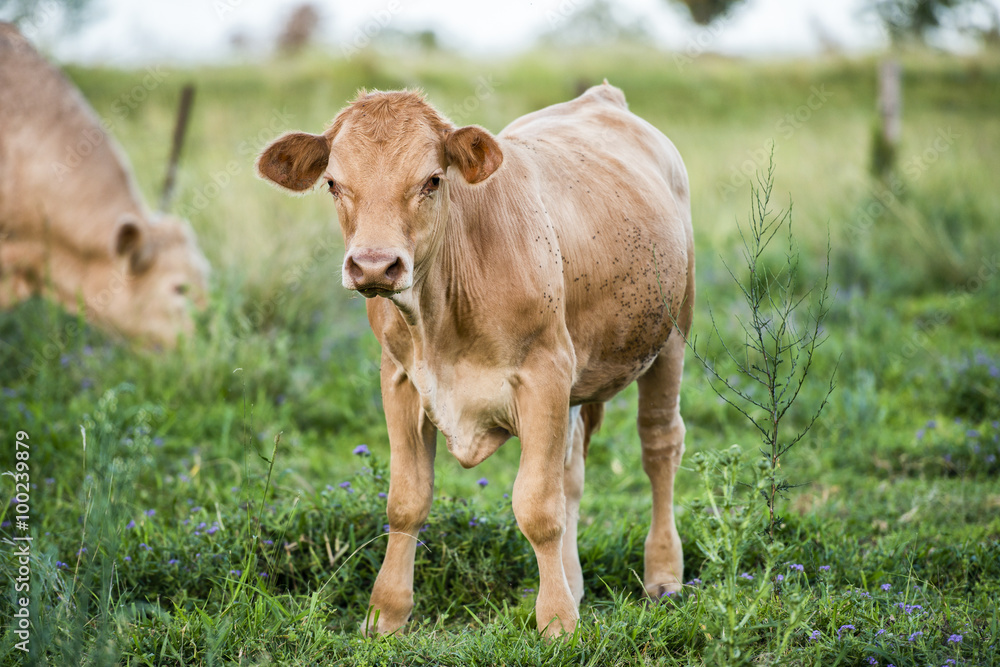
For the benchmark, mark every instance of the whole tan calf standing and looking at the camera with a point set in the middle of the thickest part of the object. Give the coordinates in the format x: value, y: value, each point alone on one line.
x: 515, y: 283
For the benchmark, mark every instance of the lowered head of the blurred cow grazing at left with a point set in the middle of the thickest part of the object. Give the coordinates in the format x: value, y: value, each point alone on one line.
x: 156, y: 279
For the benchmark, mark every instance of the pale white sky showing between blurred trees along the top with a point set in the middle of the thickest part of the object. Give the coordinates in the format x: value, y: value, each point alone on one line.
x: 130, y: 32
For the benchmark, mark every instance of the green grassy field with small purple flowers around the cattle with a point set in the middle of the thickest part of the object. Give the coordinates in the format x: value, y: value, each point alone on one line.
x: 182, y: 534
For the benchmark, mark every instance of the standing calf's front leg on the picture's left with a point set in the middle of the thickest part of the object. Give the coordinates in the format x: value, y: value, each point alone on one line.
x: 412, y: 440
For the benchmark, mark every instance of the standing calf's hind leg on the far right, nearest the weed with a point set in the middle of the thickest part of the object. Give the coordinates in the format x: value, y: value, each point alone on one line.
x: 661, y: 431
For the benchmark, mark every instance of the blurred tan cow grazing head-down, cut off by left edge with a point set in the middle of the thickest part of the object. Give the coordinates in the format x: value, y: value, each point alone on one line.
x: 72, y: 223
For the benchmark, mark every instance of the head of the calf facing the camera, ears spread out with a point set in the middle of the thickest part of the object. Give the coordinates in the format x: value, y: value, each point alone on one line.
x: 388, y: 161
